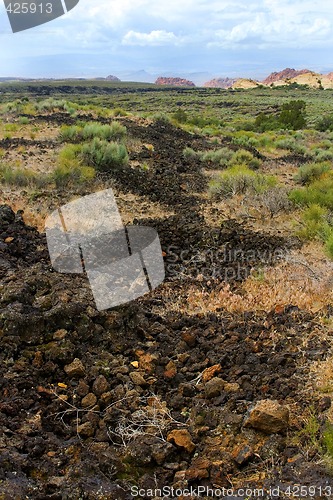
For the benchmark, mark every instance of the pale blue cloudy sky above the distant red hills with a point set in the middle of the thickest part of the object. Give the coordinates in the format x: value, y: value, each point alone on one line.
x: 199, y: 38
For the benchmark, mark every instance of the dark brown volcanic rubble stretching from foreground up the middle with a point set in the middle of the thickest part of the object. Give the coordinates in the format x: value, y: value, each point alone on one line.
x: 80, y: 431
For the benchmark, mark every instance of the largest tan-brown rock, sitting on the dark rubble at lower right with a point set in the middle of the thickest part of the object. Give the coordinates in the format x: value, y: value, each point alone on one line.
x: 269, y: 417
